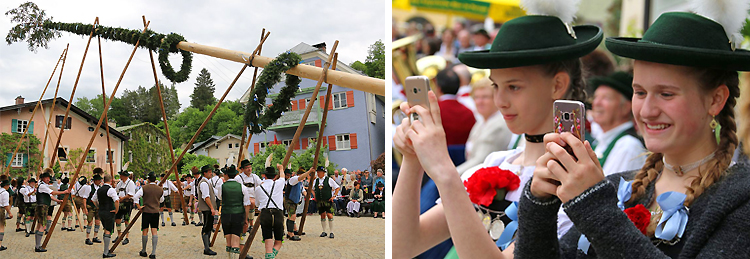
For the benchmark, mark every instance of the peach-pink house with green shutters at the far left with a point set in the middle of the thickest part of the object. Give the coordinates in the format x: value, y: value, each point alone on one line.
x: 79, y: 126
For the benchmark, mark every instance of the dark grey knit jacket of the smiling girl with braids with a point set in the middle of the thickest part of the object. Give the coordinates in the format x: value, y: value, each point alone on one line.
x: 717, y: 227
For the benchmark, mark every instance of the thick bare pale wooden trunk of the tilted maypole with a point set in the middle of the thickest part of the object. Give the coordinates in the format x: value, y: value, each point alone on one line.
x: 340, y: 78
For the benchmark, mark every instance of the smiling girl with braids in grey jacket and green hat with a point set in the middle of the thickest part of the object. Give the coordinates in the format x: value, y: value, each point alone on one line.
x: 689, y: 200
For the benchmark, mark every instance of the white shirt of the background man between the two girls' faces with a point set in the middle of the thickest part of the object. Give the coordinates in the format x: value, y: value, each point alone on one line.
x: 627, y: 154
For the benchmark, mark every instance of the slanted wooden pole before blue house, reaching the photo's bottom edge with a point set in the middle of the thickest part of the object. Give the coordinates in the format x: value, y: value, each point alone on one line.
x: 295, y: 140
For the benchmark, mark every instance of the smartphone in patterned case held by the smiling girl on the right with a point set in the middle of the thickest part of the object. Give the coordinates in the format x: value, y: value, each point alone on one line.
x: 569, y: 116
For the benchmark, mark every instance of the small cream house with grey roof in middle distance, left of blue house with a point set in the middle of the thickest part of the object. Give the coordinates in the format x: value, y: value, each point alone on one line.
x: 225, y: 149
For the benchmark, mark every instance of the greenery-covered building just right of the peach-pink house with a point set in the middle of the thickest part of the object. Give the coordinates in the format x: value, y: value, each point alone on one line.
x: 147, y: 149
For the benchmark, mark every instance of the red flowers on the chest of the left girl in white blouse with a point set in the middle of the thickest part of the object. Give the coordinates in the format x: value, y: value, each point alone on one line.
x: 483, y: 184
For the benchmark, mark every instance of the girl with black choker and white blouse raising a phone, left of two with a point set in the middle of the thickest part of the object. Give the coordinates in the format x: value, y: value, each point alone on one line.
x: 534, y: 61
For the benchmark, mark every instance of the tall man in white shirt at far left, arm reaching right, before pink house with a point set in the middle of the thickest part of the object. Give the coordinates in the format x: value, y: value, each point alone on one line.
x: 44, y: 197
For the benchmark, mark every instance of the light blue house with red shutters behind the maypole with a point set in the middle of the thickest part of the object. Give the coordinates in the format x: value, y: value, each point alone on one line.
x: 355, y: 126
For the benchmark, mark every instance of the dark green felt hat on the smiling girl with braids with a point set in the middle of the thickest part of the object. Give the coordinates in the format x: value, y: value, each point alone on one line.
x: 684, y: 39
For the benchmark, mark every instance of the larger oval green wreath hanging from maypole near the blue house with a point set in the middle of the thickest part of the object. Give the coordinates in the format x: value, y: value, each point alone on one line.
x: 256, y: 120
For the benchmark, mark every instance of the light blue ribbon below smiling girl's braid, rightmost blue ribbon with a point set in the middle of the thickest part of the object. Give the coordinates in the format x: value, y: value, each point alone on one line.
x: 674, y: 218
